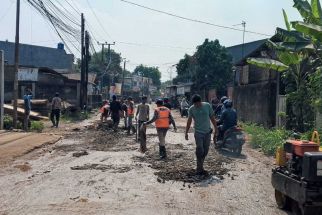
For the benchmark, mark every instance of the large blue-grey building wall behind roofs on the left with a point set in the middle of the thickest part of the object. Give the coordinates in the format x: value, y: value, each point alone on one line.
x: 39, y: 56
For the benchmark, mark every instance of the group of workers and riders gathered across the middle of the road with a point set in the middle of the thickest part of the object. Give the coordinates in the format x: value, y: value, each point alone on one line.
x: 219, y: 113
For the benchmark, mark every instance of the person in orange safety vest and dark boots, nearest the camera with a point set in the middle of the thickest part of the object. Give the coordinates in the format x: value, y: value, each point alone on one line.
x: 162, y: 118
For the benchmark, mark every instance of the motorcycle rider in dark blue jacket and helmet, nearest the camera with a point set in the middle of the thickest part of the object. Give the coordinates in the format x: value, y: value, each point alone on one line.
x: 228, y: 118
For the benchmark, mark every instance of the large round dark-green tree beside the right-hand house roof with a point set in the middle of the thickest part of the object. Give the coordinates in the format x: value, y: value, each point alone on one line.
x: 211, y: 62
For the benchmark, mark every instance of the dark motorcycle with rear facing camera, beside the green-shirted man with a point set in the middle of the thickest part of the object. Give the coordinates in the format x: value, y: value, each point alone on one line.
x: 233, y: 140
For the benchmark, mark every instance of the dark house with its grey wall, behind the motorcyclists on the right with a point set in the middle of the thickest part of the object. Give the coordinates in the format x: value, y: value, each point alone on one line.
x: 257, y: 93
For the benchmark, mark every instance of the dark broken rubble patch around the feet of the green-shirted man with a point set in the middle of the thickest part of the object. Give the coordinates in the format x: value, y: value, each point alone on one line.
x: 180, y: 166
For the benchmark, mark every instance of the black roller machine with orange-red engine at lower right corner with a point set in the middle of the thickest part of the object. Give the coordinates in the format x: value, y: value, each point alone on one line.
x: 297, y: 179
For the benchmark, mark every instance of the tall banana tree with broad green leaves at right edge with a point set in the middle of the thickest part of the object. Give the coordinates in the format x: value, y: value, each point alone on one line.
x: 300, y: 51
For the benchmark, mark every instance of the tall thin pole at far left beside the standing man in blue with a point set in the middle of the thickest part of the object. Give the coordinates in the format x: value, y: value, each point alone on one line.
x: 15, y: 83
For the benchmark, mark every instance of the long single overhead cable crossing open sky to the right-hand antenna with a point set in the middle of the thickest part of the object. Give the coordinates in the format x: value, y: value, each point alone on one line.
x: 193, y: 20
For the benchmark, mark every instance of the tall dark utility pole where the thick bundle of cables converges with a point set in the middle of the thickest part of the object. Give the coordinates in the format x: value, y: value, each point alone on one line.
x: 82, y: 102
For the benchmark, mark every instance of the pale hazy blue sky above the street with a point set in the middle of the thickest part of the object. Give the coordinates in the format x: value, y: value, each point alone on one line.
x: 160, y: 40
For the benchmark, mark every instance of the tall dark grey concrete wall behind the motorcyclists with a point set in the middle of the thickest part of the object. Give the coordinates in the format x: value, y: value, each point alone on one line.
x: 256, y: 103
